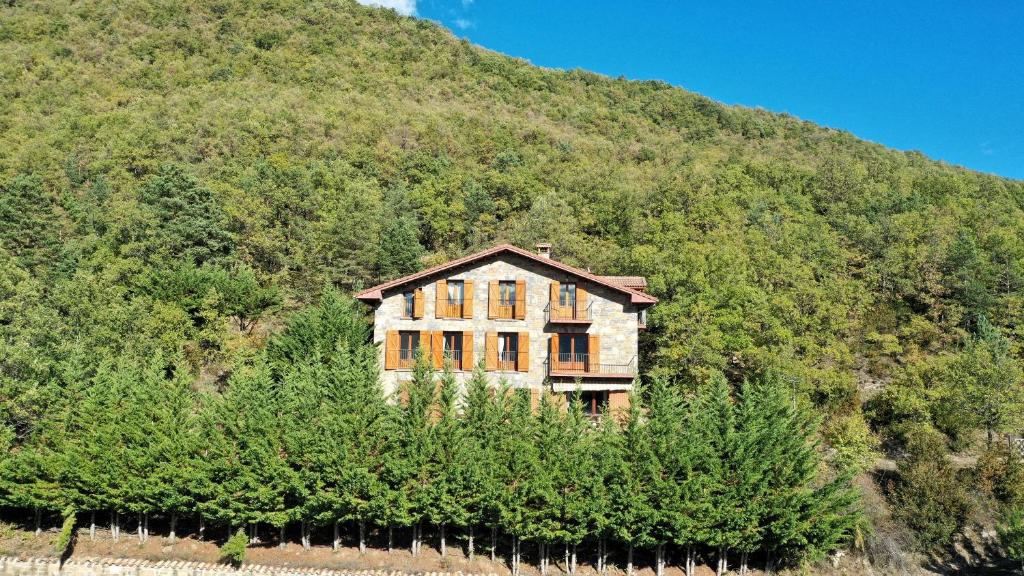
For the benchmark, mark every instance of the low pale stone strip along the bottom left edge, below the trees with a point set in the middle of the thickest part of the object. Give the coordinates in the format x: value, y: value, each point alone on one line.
x: 130, y: 567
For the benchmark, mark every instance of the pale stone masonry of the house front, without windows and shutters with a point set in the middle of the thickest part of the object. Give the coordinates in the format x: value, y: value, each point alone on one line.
x: 615, y: 319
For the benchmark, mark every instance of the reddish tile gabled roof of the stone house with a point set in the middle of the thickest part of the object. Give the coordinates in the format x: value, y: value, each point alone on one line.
x: 636, y: 297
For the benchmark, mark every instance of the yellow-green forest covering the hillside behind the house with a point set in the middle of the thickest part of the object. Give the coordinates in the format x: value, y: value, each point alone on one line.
x: 180, y: 180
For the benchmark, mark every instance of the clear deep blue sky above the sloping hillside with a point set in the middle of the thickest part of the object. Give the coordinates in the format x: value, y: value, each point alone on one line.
x: 945, y: 78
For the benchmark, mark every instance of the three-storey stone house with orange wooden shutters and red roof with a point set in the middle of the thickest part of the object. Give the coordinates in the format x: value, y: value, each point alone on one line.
x: 532, y: 320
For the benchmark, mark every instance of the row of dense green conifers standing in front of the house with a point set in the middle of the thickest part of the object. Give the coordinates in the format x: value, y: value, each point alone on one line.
x: 303, y: 435
